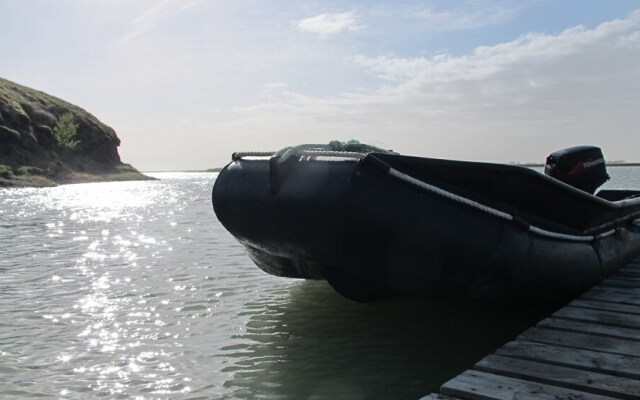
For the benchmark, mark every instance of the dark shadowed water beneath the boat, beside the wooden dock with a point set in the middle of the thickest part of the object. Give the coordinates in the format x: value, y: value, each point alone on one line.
x: 305, y: 341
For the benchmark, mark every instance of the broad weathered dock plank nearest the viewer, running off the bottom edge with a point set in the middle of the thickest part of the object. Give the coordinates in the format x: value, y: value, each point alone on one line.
x: 477, y: 385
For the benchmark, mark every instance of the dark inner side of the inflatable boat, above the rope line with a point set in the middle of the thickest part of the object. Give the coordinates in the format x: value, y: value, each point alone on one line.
x: 525, y: 193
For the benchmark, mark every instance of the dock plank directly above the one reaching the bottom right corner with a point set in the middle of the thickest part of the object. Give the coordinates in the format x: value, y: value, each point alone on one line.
x: 589, y: 360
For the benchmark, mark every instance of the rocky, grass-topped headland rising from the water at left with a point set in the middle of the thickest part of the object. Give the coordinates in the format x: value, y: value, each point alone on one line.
x: 30, y: 154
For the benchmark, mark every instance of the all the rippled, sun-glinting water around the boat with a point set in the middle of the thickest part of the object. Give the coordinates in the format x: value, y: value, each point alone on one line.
x: 134, y: 290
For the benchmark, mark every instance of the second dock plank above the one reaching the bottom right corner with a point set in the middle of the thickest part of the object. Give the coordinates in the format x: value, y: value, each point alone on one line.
x: 581, y: 341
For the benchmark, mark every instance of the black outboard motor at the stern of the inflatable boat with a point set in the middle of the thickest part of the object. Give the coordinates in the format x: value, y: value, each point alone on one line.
x: 582, y: 167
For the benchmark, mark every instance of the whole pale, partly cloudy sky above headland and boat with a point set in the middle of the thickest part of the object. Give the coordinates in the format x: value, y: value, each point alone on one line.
x: 185, y: 83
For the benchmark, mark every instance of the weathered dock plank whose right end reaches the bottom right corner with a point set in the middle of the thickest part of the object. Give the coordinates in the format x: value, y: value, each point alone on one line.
x: 569, y: 378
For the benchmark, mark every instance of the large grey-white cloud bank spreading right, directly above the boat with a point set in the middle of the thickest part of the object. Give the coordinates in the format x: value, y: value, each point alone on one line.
x: 544, y: 91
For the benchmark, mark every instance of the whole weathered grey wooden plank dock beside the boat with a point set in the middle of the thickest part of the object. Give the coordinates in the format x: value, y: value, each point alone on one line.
x: 589, y: 349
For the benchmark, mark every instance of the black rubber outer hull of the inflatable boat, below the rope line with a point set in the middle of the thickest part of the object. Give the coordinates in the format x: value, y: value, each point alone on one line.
x: 370, y: 236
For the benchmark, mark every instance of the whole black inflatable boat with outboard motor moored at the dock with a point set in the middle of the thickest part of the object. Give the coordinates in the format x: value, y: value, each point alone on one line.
x: 376, y: 224
